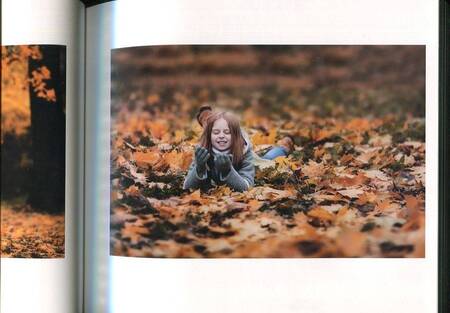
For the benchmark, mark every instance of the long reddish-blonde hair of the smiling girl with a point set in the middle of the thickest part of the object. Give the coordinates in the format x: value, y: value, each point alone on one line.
x: 237, y: 141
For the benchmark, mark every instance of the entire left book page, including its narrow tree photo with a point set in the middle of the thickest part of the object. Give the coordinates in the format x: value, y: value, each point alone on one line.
x: 42, y: 69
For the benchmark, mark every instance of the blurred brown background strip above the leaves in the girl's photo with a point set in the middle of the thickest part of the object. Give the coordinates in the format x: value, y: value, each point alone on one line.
x: 355, y: 80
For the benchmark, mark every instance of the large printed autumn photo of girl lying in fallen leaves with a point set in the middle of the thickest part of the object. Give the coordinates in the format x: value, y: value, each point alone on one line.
x: 240, y: 151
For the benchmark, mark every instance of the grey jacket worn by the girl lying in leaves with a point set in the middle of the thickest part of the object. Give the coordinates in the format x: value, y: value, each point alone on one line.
x: 239, y: 178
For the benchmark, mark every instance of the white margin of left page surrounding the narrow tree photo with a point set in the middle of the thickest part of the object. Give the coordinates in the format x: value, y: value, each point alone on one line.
x: 49, y: 285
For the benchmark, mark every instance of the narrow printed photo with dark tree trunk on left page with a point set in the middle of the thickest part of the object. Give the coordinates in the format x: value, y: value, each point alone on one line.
x: 33, y: 132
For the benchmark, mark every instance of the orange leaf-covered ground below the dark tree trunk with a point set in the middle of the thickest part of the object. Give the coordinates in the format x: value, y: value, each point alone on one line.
x: 27, y: 234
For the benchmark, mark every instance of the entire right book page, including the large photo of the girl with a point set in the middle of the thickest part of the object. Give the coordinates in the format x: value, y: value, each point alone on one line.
x: 333, y: 218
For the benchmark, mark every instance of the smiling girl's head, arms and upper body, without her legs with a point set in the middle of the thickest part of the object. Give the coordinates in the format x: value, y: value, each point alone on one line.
x: 223, y: 157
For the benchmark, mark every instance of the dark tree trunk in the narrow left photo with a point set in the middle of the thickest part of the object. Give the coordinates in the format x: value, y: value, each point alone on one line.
x: 48, y: 132
